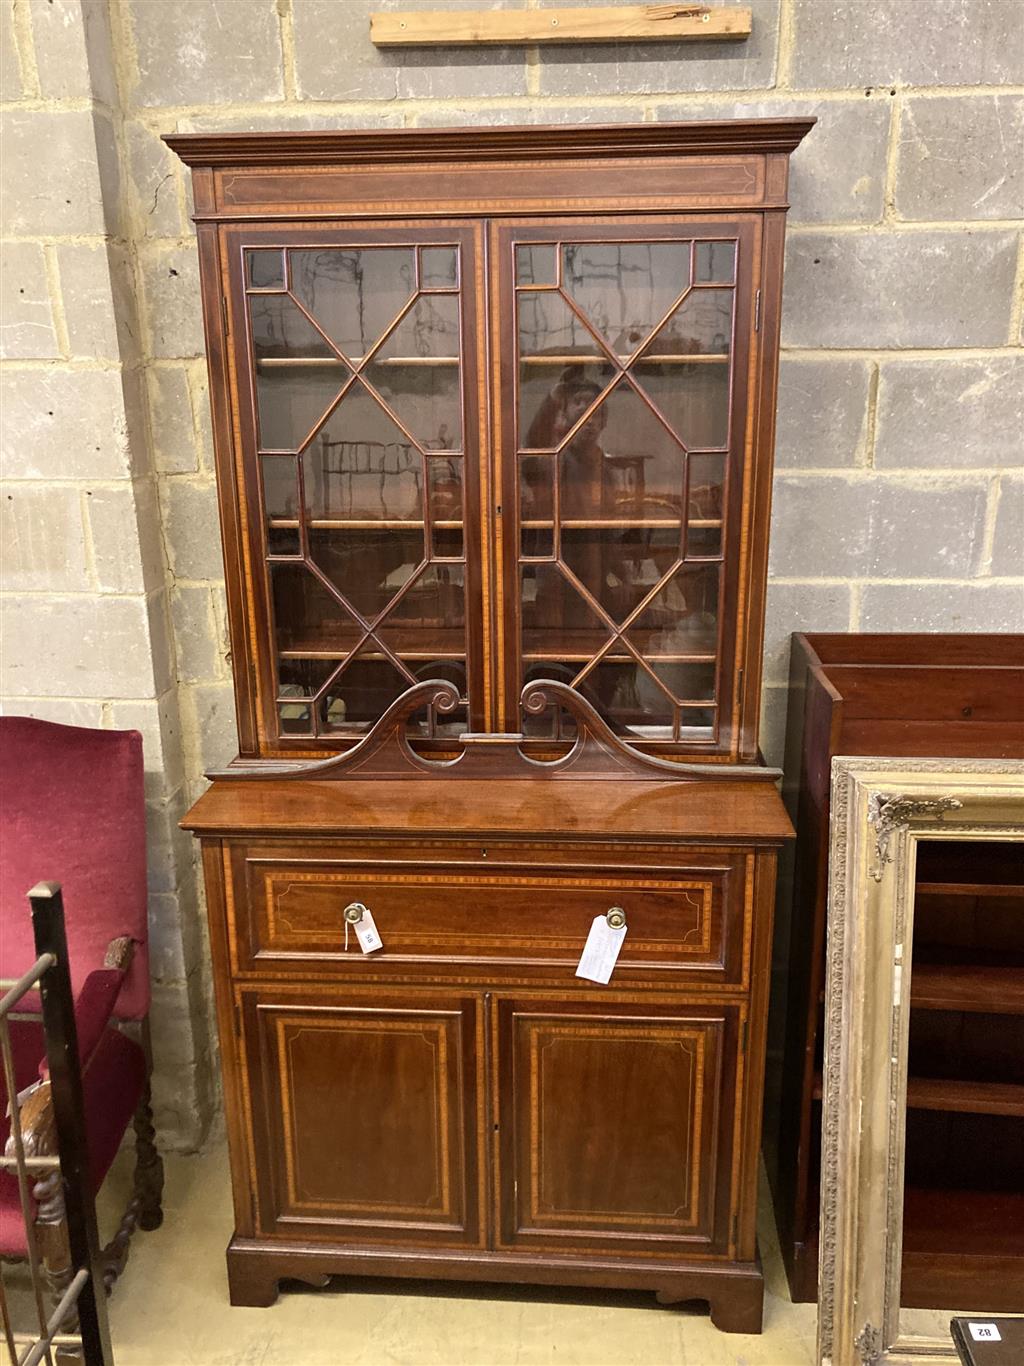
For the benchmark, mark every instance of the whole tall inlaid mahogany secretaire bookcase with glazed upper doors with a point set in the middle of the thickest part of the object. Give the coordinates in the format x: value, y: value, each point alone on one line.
x: 494, y: 416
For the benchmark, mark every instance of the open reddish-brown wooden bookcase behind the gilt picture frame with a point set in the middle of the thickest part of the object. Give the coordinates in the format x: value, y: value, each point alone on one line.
x: 924, y: 696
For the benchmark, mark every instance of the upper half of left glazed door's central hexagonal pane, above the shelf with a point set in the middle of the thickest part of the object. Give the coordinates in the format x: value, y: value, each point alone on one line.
x: 362, y: 466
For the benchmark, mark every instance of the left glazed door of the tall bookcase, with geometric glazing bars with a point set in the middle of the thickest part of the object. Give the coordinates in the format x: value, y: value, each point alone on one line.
x: 356, y: 354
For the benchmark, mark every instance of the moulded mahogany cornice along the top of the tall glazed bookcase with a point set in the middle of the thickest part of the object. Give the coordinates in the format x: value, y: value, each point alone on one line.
x: 398, y: 147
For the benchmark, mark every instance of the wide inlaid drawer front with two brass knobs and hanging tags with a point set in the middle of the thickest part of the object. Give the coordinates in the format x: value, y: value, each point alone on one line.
x: 289, y: 910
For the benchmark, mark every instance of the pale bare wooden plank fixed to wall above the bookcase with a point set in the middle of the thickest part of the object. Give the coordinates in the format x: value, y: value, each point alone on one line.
x: 614, y: 24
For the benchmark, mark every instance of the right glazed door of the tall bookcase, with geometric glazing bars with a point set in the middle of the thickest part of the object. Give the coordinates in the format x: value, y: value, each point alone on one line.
x: 625, y: 423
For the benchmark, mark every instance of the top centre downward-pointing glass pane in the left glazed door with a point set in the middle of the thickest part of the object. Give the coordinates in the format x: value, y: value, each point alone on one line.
x: 356, y: 294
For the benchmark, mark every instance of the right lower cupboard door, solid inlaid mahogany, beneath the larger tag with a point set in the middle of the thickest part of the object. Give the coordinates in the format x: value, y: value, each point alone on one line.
x: 616, y: 1125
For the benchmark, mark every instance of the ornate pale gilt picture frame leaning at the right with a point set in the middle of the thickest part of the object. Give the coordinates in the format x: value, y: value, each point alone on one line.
x: 881, y: 809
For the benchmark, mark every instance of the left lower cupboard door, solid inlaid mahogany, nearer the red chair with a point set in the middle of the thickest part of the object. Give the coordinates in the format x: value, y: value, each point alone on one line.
x: 365, y: 1117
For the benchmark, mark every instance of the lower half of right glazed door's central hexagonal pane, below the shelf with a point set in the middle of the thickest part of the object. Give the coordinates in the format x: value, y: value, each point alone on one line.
x: 621, y: 568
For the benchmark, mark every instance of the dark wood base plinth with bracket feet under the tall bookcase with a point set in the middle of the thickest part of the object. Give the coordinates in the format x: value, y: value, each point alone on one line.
x: 735, y: 1293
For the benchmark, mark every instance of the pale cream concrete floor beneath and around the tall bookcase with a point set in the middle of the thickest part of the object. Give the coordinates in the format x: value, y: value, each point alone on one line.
x: 171, y: 1309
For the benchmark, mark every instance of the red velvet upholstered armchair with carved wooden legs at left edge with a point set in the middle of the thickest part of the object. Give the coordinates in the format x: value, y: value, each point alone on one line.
x: 73, y: 811
